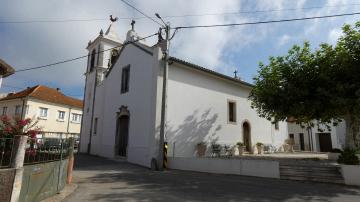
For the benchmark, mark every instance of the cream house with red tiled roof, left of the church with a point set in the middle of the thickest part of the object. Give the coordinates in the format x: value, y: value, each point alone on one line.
x: 54, y: 111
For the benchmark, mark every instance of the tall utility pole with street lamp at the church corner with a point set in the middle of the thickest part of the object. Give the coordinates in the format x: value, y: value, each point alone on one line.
x: 164, y: 93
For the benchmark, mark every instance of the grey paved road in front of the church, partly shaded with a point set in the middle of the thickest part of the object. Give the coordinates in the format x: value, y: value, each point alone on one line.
x: 104, y: 180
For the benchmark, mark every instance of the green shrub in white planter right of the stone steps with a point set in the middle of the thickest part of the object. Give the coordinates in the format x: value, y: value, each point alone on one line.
x: 350, y: 167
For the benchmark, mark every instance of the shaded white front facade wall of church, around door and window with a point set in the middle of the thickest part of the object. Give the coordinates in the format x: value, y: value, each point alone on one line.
x: 139, y: 102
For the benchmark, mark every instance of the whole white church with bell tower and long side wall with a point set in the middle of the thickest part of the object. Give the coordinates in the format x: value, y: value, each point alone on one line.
x: 122, y: 104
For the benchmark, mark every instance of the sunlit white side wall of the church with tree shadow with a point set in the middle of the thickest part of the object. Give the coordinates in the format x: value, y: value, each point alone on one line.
x: 198, y: 111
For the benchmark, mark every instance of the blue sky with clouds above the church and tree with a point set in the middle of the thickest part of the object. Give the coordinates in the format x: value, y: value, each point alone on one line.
x: 26, y: 45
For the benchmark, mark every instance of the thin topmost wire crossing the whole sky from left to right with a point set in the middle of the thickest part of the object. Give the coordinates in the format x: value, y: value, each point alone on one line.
x: 171, y: 16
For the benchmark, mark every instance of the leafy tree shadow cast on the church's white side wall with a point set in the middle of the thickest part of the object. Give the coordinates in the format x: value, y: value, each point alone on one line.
x: 197, y: 127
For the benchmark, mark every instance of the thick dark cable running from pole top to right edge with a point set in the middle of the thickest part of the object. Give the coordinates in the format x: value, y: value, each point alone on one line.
x: 266, y: 22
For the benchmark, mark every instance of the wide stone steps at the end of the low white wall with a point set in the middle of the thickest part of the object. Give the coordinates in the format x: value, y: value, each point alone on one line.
x: 315, y: 172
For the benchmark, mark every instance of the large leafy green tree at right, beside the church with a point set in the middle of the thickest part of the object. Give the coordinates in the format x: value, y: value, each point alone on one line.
x: 321, y: 85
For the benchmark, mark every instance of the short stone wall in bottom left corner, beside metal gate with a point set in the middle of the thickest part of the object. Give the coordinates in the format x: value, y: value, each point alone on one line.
x: 6, y: 183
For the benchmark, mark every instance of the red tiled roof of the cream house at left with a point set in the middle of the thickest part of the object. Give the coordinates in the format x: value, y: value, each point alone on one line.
x: 46, y: 94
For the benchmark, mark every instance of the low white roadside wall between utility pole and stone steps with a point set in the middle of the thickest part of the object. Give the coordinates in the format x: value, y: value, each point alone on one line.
x: 258, y: 168
